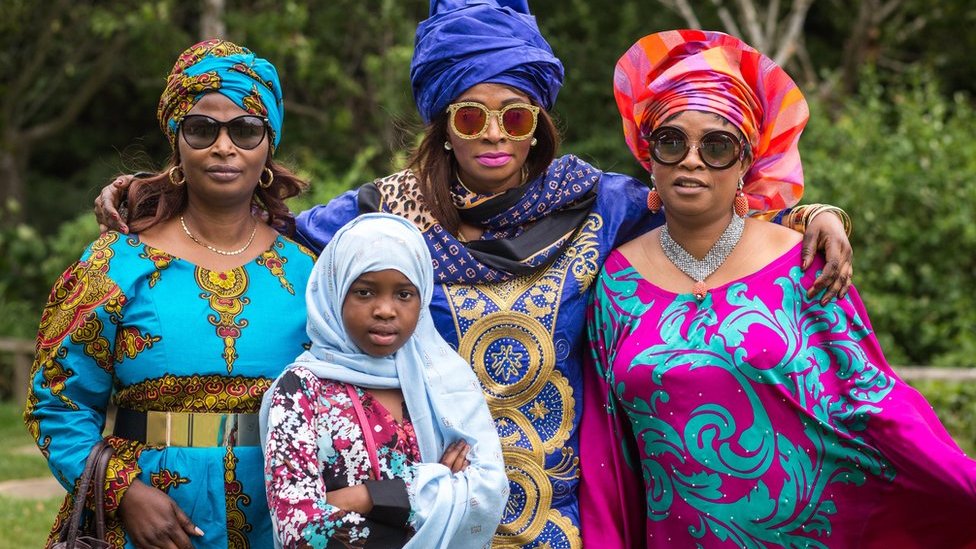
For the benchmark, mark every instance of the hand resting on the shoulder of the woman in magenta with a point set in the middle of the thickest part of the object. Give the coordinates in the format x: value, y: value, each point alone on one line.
x: 826, y: 234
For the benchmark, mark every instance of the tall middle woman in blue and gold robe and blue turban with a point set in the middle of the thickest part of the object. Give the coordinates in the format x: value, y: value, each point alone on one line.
x: 515, y: 258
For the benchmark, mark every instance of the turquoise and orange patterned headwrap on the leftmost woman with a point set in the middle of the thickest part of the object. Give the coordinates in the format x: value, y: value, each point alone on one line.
x: 230, y: 70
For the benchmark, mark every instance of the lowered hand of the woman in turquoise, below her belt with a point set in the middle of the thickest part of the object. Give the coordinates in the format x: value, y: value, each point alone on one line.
x: 152, y: 519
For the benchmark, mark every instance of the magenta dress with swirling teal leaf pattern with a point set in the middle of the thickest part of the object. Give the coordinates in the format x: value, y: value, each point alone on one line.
x: 758, y: 418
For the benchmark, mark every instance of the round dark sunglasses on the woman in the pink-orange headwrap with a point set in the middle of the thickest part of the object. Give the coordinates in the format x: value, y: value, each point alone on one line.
x: 718, y: 149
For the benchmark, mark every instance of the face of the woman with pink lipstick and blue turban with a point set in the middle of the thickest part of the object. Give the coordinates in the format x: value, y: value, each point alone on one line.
x: 491, y: 163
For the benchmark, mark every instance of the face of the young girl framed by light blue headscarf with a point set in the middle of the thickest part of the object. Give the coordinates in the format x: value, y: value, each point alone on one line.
x: 380, y: 311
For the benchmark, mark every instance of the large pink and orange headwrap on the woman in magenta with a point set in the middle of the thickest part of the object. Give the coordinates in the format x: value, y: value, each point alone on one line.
x: 673, y: 71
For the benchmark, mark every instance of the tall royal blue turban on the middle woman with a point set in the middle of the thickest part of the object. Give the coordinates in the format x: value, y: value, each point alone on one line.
x: 467, y: 42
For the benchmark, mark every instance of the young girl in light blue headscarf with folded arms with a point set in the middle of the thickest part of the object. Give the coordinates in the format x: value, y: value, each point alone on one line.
x: 379, y: 435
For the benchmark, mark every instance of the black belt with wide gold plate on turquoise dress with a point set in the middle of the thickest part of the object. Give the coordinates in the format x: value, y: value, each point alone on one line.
x: 188, y: 429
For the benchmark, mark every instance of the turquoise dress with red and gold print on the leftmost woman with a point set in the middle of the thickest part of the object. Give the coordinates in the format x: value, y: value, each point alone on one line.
x: 135, y: 326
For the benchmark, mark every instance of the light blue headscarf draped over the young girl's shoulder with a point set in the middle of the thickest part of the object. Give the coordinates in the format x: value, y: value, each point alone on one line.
x: 441, y: 392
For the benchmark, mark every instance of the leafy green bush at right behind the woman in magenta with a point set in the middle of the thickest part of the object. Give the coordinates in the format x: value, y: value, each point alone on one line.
x: 901, y: 162
